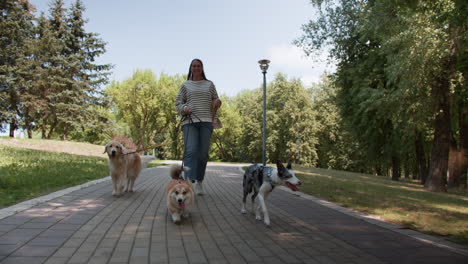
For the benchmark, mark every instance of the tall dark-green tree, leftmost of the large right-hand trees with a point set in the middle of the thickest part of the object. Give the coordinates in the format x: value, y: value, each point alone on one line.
x: 363, y: 95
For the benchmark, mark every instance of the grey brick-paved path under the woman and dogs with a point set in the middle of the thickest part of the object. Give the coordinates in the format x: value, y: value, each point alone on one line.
x: 91, y: 226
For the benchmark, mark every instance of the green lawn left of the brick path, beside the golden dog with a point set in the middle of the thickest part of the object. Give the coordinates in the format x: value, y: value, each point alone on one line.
x: 28, y: 173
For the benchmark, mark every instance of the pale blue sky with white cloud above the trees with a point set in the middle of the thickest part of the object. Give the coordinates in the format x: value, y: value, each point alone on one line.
x: 230, y: 37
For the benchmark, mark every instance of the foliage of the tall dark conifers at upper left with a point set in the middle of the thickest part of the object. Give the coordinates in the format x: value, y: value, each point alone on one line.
x: 53, y: 81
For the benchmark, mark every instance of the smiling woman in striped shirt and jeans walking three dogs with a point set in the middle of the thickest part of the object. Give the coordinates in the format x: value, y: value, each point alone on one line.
x: 197, y: 102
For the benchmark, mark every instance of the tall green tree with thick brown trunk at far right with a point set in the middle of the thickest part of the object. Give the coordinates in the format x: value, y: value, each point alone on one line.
x: 427, y: 38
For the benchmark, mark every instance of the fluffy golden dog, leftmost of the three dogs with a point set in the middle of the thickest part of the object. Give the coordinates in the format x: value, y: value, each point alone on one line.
x: 124, y: 164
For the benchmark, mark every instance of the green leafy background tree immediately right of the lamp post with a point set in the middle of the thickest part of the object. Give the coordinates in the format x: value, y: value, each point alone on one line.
x: 291, y: 122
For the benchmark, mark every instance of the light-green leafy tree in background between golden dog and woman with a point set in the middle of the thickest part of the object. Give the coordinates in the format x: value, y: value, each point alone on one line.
x: 143, y: 102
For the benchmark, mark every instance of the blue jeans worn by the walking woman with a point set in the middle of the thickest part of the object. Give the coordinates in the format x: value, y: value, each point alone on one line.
x: 197, y: 144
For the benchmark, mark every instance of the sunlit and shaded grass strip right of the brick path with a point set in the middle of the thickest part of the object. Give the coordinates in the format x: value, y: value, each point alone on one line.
x: 404, y: 203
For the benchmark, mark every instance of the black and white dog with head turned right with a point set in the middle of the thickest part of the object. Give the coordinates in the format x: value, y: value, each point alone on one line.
x: 262, y: 180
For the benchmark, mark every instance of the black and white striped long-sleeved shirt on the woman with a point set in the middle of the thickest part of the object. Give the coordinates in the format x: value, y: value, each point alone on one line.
x: 199, y: 96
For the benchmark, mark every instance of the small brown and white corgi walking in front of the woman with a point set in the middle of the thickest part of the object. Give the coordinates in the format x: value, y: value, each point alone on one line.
x: 179, y: 194
